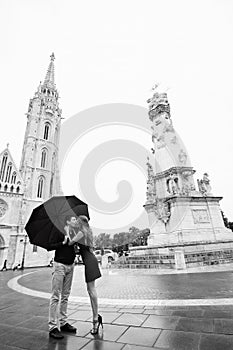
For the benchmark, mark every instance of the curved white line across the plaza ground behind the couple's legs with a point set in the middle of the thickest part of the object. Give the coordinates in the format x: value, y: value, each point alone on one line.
x: 13, y: 284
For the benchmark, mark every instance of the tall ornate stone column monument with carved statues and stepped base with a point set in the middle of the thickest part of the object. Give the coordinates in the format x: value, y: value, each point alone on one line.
x: 183, y: 219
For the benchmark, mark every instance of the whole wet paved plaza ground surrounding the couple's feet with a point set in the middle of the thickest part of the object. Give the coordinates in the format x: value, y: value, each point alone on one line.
x: 141, y: 325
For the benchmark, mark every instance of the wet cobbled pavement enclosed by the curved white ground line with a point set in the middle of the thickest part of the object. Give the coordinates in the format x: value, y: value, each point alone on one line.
x: 136, y: 284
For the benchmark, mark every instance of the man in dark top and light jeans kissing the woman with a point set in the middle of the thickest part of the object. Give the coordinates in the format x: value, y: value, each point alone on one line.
x: 63, y: 268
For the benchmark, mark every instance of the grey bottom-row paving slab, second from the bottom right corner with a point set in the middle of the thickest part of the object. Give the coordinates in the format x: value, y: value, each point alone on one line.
x: 178, y: 340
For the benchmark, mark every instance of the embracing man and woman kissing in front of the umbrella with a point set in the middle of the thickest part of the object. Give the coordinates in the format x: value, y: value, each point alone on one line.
x: 76, y: 232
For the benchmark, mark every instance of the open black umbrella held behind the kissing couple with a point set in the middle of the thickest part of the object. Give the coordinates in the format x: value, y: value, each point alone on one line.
x: 47, y: 221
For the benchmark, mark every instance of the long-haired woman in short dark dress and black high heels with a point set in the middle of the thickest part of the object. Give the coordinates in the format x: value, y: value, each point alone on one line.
x: 84, y: 238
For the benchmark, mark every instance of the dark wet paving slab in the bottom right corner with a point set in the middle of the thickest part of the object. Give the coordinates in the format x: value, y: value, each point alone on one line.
x: 216, y: 342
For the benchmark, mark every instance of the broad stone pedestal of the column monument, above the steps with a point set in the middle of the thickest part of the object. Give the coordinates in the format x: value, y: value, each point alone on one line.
x: 193, y: 219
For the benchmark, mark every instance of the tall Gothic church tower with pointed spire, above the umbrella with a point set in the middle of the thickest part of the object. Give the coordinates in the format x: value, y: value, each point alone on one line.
x: 39, y: 161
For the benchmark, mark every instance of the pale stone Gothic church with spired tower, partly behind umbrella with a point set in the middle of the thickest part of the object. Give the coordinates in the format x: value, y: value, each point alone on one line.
x: 36, y: 180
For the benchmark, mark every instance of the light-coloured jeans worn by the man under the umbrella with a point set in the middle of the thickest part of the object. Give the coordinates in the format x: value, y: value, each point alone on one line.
x: 61, y: 286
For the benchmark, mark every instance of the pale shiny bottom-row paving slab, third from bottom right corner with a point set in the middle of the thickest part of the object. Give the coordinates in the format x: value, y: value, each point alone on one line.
x: 142, y: 336
